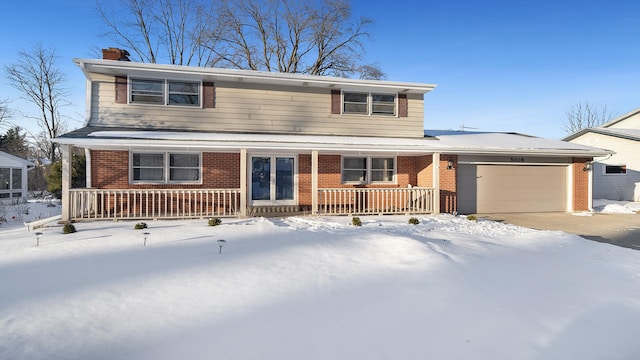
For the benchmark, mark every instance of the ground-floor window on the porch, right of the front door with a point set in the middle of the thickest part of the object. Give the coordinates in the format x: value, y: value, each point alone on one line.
x: 367, y: 169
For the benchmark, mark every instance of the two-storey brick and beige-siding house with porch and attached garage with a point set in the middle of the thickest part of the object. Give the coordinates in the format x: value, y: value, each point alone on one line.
x: 177, y: 141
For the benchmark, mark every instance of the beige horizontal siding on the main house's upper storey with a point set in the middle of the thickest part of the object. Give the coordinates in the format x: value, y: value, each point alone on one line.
x: 254, y: 108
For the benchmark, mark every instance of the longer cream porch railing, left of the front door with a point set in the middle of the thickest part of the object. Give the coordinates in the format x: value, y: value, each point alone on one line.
x: 153, y: 203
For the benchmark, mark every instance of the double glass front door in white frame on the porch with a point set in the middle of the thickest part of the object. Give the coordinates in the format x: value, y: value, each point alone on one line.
x: 273, y: 180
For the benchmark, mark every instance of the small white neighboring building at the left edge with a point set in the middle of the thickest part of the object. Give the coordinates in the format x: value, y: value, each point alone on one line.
x: 13, y: 177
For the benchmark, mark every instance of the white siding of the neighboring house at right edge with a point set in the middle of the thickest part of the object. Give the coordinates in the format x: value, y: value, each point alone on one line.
x: 618, y: 186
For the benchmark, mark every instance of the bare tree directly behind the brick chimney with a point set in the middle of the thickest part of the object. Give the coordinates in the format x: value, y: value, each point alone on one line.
x: 157, y: 31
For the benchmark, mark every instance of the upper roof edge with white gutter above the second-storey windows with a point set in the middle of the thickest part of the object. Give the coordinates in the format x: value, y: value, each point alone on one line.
x: 122, y: 68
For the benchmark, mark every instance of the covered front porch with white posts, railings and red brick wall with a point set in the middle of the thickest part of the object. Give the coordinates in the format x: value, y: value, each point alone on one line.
x: 313, y: 174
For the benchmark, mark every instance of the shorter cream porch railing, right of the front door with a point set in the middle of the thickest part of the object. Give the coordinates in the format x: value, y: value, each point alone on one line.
x: 375, y: 201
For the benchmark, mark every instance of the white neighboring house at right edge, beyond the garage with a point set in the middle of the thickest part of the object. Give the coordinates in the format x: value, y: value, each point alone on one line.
x: 615, y: 177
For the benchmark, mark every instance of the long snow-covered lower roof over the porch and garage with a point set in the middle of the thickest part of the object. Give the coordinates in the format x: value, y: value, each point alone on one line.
x: 457, y: 143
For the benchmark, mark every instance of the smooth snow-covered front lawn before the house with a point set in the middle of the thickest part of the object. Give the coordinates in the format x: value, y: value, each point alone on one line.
x: 316, y: 288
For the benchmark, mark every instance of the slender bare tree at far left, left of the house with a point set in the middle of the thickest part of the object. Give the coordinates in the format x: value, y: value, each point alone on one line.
x: 42, y: 83
